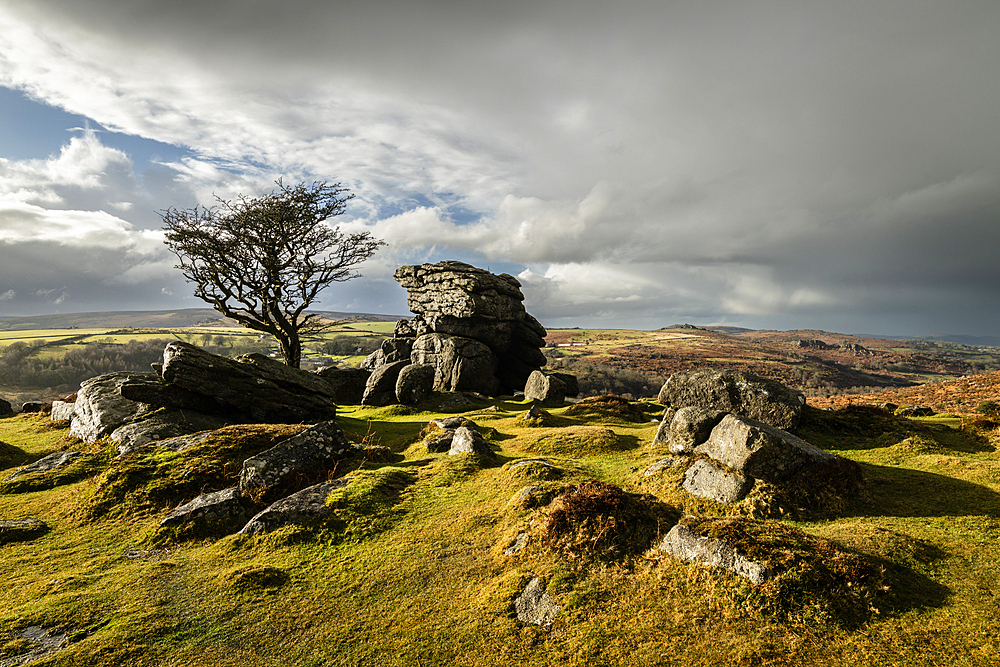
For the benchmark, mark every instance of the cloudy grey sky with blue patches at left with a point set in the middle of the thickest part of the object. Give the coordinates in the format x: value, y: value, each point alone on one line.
x: 779, y: 165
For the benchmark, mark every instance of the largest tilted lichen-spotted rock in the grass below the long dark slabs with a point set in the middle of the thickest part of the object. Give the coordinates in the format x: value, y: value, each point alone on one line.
x: 303, y: 456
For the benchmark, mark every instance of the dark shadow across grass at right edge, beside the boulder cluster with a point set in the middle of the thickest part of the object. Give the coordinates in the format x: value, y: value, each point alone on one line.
x: 902, y: 492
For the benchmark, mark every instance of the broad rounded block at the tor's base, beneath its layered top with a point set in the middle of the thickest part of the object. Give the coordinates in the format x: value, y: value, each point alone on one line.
x: 461, y: 364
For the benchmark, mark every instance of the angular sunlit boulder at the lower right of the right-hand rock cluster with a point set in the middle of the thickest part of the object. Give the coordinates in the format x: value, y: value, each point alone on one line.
x: 758, y: 450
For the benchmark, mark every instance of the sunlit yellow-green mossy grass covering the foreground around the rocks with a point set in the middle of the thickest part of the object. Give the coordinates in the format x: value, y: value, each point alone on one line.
x: 413, y: 570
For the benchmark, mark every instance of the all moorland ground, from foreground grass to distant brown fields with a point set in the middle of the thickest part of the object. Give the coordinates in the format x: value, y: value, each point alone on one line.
x: 415, y: 569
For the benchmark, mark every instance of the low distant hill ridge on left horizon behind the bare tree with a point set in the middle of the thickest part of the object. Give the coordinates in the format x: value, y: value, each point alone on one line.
x: 185, y: 317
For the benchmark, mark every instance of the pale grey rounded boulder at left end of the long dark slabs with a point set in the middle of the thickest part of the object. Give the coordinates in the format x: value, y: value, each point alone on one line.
x: 100, y: 407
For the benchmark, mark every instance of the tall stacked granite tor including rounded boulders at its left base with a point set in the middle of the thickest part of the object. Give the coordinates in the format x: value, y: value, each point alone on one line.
x: 470, y: 326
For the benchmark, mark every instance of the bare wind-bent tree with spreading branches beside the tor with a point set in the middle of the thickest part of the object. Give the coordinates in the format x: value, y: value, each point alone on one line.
x: 262, y: 261
